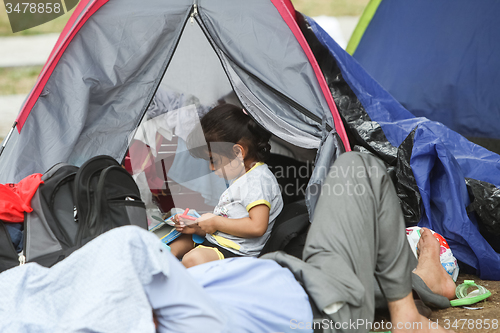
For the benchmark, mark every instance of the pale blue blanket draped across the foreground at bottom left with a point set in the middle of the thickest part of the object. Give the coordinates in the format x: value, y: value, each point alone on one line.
x: 113, y: 283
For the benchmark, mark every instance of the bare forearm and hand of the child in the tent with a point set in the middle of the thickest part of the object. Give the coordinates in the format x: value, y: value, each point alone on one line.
x: 248, y: 227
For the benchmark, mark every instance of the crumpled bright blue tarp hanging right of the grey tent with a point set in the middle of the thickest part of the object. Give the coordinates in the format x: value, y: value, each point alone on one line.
x: 440, y: 160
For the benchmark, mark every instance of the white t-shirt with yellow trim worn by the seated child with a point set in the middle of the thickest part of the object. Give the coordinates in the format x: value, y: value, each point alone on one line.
x: 256, y: 187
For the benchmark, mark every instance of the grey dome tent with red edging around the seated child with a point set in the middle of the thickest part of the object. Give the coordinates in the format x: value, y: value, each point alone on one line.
x: 113, y: 56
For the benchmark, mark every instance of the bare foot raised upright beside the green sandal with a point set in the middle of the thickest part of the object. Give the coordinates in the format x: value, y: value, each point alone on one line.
x: 429, y: 266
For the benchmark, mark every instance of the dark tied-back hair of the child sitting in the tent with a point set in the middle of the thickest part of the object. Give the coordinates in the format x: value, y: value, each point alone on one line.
x: 228, y: 123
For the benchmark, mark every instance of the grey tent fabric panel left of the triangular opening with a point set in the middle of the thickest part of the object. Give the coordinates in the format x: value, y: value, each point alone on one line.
x: 100, y: 78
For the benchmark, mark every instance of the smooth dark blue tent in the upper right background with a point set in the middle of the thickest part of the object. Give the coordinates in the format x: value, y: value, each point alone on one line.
x: 437, y: 58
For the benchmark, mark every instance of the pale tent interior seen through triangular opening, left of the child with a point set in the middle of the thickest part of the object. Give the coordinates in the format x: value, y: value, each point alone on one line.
x: 158, y: 156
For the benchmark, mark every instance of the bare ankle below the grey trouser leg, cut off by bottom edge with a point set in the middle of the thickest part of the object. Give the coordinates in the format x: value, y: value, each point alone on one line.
x: 405, y: 317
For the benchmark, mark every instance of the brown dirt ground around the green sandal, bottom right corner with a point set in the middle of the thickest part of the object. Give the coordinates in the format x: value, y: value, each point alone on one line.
x: 486, y: 319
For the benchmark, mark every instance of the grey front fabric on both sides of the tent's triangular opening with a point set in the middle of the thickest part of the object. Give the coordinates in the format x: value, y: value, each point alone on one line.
x: 103, y: 76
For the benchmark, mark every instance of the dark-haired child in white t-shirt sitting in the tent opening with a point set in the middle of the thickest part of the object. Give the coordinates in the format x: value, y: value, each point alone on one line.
x: 242, y: 220
